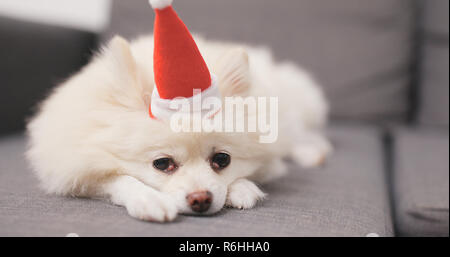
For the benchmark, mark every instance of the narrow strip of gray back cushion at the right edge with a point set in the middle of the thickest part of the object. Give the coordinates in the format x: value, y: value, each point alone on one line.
x: 434, y: 86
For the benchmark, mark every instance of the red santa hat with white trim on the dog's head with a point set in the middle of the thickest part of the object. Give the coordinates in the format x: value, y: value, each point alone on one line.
x: 178, y: 66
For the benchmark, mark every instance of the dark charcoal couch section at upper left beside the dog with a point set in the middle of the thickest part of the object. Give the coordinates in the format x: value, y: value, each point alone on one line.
x: 33, y: 59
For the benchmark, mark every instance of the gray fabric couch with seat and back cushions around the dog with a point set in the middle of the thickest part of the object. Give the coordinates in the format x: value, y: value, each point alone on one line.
x: 384, y: 67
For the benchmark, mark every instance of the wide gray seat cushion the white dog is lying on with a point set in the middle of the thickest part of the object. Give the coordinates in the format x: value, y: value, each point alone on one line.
x: 347, y: 197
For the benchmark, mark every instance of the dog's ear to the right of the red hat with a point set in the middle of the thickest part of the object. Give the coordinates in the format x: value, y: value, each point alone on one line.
x: 233, y: 73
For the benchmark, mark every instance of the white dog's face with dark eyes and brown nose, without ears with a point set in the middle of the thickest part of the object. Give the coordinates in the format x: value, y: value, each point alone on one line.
x: 196, y: 168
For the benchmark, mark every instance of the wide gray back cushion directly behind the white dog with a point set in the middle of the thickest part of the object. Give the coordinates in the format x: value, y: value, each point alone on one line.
x: 359, y: 50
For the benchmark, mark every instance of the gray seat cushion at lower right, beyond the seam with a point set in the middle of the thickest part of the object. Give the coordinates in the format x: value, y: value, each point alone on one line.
x: 421, y: 182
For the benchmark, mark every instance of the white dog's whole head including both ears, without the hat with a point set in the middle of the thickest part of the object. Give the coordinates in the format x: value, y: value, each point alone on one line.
x: 194, y: 168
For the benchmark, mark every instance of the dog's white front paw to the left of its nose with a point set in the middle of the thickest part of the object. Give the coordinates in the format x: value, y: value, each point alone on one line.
x: 152, y: 206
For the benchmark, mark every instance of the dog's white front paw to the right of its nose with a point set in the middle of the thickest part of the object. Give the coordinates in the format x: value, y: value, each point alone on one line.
x: 243, y: 194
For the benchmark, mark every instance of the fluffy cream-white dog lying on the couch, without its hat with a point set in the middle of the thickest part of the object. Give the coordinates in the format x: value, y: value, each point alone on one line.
x: 93, y: 136
